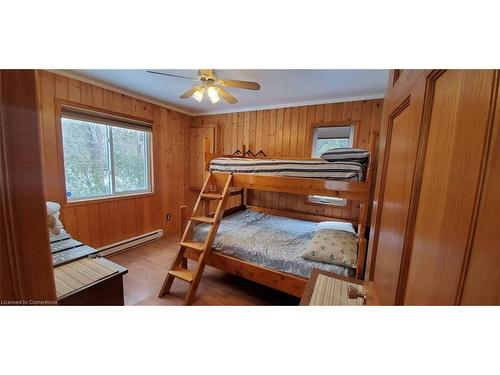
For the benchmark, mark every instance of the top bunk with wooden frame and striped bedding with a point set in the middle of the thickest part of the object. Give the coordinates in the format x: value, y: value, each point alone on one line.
x: 305, y: 176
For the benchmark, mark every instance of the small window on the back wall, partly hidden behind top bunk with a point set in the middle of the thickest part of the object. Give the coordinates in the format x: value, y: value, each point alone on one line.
x: 326, y: 138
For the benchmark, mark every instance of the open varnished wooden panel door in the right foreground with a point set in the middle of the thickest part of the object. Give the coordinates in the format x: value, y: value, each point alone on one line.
x: 429, y: 237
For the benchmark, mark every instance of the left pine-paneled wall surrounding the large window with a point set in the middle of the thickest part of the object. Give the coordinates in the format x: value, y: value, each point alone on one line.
x: 102, y: 222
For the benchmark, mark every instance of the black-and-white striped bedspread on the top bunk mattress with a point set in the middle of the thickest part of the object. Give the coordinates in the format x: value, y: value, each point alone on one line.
x: 350, y: 171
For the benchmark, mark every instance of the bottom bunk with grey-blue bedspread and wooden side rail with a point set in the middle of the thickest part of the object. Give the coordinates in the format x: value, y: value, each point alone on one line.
x: 268, y: 249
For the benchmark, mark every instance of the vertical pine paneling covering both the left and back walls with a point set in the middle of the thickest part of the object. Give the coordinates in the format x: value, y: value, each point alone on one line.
x: 278, y: 132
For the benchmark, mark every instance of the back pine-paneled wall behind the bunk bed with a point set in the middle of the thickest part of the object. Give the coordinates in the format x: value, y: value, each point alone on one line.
x: 288, y: 132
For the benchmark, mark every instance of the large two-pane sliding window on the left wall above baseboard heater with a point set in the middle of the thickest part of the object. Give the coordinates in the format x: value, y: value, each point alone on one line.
x: 104, y: 156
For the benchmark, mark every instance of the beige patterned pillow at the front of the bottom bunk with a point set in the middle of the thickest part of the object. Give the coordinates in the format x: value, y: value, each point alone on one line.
x: 333, y: 246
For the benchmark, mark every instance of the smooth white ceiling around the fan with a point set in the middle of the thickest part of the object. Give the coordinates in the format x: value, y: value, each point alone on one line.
x: 279, y: 88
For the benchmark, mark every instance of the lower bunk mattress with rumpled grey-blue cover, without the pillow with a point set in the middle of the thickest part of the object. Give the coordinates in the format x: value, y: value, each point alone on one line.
x: 271, y: 241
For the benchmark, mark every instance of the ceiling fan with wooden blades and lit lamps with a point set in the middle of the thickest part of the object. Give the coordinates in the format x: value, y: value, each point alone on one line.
x: 212, y: 85
